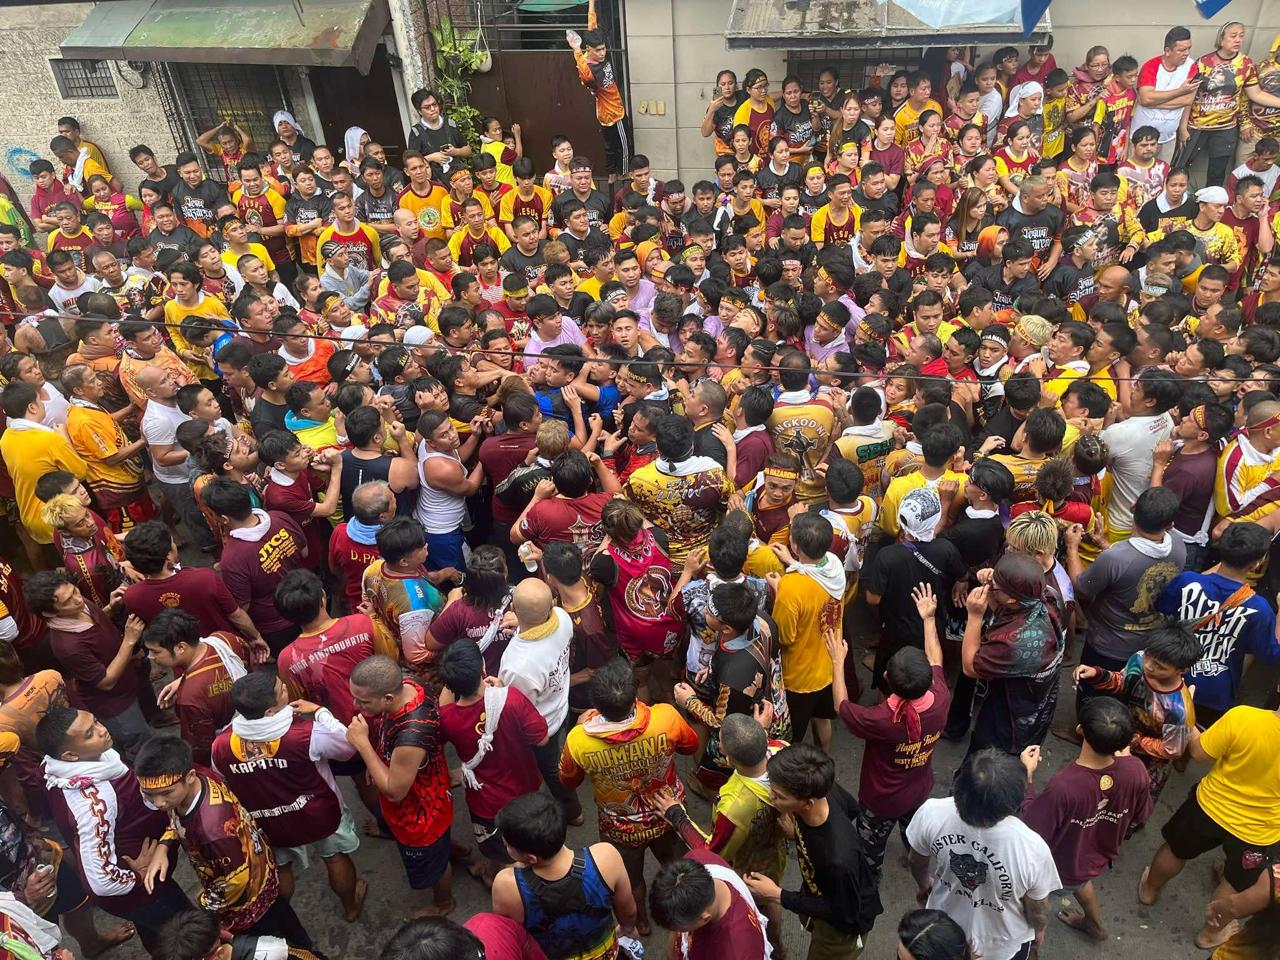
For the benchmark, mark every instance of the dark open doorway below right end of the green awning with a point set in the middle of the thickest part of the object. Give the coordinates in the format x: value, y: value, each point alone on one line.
x: 346, y: 98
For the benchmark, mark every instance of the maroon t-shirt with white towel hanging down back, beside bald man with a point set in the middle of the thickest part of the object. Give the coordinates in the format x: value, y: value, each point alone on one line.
x: 509, y: 770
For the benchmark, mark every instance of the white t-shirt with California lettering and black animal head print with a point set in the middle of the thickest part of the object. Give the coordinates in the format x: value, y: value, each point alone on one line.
x: 981, y: 875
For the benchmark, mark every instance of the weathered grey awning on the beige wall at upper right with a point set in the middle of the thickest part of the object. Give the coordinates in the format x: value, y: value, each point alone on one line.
x: 834, y: 25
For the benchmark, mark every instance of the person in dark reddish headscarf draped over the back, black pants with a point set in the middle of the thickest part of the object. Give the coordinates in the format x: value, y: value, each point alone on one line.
x: 1013, y: 646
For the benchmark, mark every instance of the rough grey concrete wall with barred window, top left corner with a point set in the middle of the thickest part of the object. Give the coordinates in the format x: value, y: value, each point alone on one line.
x: 31, y: 104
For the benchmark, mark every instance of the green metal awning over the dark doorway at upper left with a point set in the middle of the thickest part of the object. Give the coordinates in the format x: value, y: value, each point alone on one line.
x: 299, y: 33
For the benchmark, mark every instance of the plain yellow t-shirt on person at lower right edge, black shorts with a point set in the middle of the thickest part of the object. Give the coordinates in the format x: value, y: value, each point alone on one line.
x: 1242, y: 792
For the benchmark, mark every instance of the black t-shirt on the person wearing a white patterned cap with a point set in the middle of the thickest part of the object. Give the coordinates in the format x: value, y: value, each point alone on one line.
x: 897, y: 570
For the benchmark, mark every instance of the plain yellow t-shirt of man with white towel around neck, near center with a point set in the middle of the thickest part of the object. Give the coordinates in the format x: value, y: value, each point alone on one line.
x: 804, y: 611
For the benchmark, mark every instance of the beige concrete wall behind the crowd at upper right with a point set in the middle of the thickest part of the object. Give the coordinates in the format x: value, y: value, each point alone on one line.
x: 676, y: 47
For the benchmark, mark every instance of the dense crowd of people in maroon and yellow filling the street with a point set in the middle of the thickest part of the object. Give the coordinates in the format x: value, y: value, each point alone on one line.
x: 973, y: 371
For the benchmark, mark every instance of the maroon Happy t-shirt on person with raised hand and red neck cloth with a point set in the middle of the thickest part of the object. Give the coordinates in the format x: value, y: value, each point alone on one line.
x: 898, y: 774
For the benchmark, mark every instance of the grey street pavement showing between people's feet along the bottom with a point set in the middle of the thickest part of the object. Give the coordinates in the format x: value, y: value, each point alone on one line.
x: 1164, y: 931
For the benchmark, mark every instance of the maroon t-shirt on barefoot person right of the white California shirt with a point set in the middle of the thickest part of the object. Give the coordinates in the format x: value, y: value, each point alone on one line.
x: 1084, y: 815
